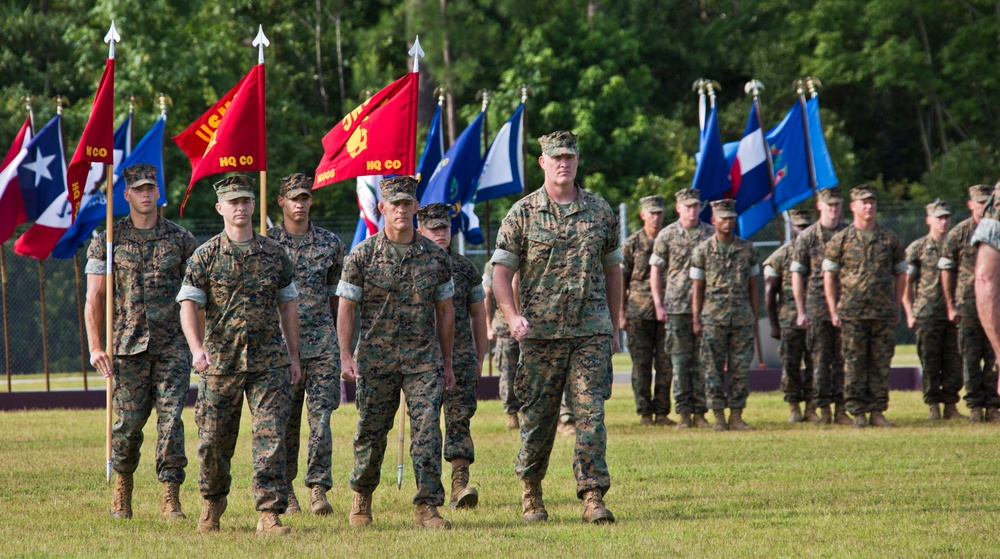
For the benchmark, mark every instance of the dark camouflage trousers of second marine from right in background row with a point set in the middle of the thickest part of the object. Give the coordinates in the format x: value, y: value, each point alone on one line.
x: 940, y: 361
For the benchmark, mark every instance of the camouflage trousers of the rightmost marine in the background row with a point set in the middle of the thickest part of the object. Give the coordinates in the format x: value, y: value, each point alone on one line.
x: 978, y: 364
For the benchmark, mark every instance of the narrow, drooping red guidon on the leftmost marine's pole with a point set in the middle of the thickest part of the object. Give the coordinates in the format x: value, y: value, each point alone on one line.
x: 97, y: 145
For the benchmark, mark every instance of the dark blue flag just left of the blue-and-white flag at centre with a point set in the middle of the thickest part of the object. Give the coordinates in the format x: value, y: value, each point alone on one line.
x: 454, y: 178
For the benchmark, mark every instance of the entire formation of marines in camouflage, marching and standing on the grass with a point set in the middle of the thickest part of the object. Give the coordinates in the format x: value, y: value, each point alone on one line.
x: 280, y: 319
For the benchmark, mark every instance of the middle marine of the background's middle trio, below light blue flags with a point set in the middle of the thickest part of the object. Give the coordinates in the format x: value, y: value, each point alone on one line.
x: 824, y: 341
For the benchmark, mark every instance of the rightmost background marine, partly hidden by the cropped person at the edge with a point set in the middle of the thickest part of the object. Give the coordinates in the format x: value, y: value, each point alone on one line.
x: 978, y: 358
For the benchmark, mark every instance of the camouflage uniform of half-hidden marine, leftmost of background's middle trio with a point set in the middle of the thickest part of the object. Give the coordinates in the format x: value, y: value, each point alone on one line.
x: 796, y: 382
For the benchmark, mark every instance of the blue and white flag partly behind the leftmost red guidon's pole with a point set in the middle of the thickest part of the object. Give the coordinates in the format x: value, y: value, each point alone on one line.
x: 93, y: 206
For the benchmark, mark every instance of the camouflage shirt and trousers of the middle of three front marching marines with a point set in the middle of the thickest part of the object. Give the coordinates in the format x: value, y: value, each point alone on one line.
x: 398, y: 350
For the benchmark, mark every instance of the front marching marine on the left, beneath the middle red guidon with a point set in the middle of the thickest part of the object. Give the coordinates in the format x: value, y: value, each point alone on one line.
x: 245, y: 284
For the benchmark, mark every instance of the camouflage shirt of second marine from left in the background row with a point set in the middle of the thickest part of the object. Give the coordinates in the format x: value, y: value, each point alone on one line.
x: 672, y: 254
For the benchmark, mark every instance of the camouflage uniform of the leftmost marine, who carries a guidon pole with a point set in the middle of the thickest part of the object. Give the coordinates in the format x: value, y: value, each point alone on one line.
x: 152, y: 366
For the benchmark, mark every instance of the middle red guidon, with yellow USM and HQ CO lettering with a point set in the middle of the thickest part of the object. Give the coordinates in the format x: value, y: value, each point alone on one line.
x: 231, y: 136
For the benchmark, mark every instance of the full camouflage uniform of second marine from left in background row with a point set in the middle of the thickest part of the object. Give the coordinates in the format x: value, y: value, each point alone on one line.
x: 672, y: 254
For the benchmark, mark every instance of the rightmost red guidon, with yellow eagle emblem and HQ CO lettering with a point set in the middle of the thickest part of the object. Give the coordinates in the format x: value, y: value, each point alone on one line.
x: 379, y: 137
